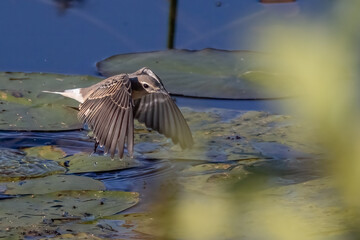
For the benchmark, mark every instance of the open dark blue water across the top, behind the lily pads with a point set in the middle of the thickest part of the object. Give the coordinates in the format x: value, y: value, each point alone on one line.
x: 44, y: 36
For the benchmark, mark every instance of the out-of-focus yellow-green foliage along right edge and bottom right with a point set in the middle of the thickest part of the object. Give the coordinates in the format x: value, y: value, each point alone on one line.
x: 320, y: 58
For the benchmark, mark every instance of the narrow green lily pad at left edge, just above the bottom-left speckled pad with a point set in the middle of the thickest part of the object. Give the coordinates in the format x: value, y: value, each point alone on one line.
x: 53, y: 183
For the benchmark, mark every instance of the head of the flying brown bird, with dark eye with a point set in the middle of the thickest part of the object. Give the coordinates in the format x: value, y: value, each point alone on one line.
x: 150, y: 82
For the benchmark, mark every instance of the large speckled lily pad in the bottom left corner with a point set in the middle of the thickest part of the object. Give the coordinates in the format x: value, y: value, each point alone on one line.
x: 44, y: 213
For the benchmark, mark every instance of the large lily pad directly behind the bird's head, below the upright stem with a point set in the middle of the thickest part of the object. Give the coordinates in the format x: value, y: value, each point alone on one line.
x: 208, y: 73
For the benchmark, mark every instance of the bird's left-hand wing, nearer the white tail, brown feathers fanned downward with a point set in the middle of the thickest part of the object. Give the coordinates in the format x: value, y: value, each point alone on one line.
x: 108, y: 111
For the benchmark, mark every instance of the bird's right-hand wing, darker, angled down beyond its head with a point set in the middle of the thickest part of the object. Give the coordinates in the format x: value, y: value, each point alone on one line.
x: 159, y: 112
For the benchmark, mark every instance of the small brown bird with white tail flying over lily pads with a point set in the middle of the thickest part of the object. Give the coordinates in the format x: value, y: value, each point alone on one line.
x: 110, y: 107
